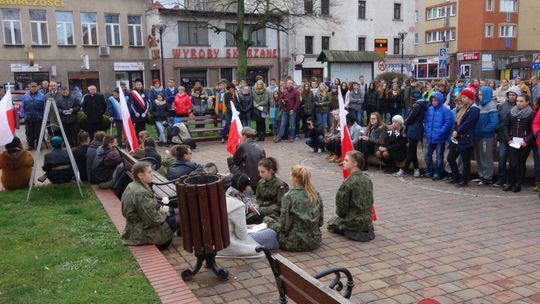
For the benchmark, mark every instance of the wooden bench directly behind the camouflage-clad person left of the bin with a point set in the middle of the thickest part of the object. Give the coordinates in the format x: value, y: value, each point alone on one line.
x: 161, y: 186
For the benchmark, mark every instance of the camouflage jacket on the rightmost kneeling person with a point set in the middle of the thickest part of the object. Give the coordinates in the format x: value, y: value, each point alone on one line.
x: 353, y: 204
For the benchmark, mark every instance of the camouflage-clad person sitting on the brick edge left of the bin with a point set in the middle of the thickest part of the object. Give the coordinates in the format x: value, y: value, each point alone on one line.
x: 146, y: 223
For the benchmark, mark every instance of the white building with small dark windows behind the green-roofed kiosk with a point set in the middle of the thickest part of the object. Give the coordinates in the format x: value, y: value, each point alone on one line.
x: 347, y: 25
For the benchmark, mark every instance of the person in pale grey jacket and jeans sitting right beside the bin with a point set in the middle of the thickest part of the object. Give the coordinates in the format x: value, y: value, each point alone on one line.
x: 243, y: 244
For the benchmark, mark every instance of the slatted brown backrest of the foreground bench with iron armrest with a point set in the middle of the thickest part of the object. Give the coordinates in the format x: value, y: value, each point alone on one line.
x: 301, y: 287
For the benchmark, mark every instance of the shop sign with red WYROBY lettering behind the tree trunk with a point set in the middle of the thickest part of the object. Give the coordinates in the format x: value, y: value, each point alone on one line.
x: 209, y: 53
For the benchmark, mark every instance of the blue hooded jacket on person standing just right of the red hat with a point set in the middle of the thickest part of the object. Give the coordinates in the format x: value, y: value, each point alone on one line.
x: 489, y: 117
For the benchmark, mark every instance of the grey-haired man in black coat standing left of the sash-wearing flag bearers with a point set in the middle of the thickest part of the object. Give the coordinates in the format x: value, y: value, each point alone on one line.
x: 94, y: 106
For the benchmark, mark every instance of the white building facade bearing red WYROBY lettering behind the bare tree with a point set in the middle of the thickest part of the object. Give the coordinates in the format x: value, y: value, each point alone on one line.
x: 193, y: 52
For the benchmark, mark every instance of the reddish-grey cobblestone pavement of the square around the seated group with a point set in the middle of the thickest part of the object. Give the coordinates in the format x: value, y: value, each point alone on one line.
x: 473, y: 245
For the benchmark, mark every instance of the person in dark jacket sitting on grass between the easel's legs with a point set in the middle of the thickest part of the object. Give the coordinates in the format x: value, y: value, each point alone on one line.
x: 56, y: 164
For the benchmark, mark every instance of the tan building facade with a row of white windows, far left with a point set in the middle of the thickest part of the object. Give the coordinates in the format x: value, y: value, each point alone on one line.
x: 76, y: 43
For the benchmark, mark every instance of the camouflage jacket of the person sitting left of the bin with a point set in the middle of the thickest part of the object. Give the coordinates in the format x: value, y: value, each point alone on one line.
x: 145, y: 224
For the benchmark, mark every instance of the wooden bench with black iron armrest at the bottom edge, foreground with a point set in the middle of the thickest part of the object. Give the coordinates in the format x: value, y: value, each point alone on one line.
x: 295, y: 284
